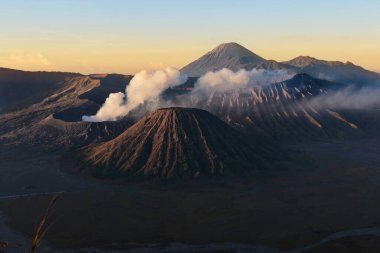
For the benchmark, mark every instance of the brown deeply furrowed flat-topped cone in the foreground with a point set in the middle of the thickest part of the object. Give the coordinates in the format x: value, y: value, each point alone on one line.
x: 176, y: 143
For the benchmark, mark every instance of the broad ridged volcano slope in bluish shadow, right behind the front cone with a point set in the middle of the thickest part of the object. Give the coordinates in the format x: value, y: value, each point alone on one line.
x: 280, y: 110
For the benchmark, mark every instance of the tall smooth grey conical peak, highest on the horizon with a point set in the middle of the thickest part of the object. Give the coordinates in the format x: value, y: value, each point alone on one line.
x: 228, y: 55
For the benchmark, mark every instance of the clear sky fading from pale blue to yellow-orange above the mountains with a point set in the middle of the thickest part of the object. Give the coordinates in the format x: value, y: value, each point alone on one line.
x: 121, y: 36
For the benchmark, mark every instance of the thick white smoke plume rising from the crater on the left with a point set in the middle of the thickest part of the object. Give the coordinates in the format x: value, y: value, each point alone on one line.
x: 144, y: 87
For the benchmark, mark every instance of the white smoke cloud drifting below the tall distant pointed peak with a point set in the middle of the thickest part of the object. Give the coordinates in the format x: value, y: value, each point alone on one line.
x: 226, y: 79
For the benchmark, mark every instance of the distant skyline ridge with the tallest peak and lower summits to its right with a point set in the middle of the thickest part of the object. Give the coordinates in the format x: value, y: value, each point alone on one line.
x: 234, y: 56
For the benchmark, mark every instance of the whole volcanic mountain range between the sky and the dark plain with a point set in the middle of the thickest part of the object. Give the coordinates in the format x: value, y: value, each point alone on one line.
x: 235, y: 130
